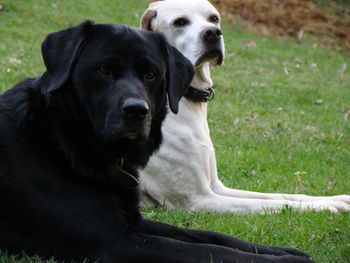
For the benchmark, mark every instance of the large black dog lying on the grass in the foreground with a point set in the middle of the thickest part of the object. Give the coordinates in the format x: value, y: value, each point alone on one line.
x: 71, y: 142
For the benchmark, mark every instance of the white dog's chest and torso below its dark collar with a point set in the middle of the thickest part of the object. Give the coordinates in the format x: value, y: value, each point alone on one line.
x: 186, y: 154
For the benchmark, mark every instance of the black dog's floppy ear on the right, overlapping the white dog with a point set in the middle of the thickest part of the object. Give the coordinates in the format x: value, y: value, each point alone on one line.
x: 179, y: 75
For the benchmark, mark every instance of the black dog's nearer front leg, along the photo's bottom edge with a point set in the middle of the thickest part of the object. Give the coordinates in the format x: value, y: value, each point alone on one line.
x: 147, y: 248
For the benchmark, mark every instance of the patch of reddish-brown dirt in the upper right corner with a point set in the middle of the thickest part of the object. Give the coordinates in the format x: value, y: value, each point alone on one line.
x: 287, y: 18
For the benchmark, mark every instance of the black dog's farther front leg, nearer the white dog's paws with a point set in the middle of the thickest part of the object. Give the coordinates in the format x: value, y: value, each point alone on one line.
x: 208, y: 237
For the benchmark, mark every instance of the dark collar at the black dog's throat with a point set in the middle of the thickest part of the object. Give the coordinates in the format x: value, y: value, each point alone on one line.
x: 119, y: 177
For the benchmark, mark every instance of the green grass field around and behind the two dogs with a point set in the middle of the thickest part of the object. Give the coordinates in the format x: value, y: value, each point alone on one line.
x: 279, y: 121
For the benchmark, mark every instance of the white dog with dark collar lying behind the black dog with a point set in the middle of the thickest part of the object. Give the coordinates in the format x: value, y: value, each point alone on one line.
x: 183, y: 174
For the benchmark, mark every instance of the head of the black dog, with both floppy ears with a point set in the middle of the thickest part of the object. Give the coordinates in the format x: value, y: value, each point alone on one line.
x: 120, y: 75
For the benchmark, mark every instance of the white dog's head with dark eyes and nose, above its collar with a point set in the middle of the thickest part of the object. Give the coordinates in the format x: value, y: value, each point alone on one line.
x: 193, y: 27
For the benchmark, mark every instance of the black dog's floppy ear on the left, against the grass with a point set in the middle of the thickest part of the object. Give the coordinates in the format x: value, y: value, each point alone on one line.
x: 59, y: 52
